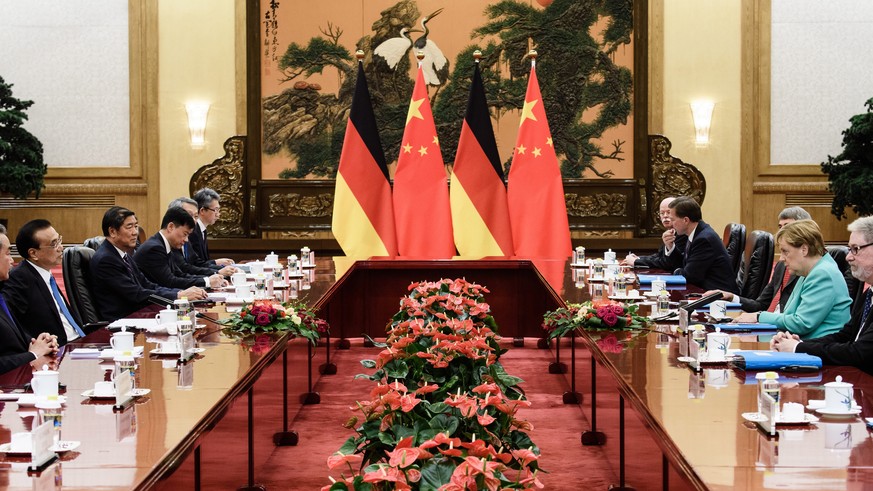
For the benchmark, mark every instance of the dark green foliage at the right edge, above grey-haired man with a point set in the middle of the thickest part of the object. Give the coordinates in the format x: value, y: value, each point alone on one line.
x: 851, y: 172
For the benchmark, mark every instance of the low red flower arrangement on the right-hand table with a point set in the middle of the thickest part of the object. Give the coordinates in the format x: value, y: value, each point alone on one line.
x: 593, y: 316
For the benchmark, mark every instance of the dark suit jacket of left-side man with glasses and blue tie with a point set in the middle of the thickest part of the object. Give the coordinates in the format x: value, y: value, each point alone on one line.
x: 33, y: 304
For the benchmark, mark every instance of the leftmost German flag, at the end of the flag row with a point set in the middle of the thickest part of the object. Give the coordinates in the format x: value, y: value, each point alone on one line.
x: 363, y: 215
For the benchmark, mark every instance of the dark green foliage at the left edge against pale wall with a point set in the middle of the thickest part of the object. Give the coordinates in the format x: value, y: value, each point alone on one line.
x: 21, y: 161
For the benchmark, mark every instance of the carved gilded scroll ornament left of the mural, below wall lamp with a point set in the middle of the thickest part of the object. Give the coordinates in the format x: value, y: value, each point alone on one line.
x: 225, y: 176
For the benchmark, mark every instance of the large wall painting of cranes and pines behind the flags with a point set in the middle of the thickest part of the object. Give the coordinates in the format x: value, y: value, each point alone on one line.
x: 585, y: 56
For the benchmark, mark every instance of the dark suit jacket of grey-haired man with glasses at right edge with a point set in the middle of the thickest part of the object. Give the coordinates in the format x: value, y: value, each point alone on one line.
x: 840, y: 348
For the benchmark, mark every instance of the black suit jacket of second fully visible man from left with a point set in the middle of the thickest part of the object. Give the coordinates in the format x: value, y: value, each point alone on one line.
x: 116, y: 292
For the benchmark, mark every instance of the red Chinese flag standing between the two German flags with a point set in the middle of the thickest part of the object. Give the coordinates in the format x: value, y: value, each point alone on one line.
x: 421, y: 194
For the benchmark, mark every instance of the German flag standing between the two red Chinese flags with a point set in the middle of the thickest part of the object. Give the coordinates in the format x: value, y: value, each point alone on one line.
x: 480, y: 215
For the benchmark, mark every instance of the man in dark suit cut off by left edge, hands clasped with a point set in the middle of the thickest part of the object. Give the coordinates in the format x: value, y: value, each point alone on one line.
x: 16, y: 347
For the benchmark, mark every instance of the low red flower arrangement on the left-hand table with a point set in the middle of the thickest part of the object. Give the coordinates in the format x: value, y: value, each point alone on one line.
x: 269, y: 315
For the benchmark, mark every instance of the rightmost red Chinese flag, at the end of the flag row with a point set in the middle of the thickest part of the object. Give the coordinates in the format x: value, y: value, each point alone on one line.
x: 537, y: 210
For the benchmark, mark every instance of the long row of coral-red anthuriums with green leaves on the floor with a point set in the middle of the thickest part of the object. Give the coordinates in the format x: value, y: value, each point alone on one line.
x: 444, y: 413
